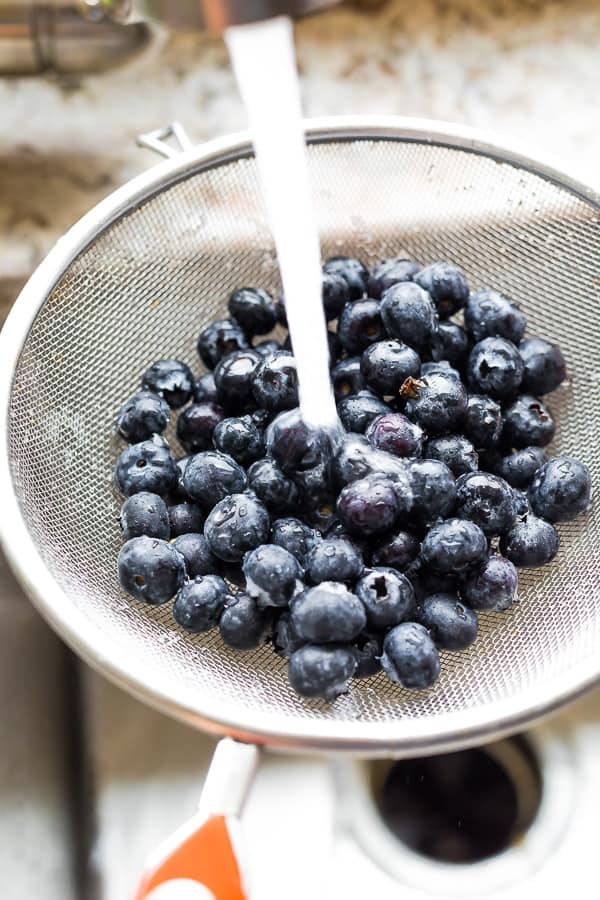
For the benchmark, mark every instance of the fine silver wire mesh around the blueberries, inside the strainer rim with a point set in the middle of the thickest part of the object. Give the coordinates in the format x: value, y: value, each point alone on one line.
x: 144, y: 288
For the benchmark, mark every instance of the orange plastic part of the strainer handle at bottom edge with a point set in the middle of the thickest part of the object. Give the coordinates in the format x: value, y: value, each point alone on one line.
x: 201, y: 851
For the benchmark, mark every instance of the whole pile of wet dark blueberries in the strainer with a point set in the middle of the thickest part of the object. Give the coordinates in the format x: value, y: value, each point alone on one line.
x: 372, y: 548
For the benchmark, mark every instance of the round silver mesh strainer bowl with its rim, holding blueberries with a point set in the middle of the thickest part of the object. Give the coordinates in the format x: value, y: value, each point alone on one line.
x: 136, y: 280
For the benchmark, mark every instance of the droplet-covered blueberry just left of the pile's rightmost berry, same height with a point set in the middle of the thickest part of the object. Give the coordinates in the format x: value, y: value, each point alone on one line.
x: 487, y: 500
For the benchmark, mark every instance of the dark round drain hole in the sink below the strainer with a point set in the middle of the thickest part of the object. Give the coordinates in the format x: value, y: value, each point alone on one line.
x: 462, y: 807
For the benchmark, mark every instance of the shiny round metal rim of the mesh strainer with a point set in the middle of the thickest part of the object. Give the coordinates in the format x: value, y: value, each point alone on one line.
x: 404, y: 737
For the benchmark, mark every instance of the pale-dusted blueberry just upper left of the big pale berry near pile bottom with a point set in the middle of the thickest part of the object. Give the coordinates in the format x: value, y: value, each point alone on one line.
x: 272, y: 574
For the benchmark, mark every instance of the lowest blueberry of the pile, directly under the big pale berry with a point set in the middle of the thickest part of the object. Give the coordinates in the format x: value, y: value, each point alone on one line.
x: 321, y: 671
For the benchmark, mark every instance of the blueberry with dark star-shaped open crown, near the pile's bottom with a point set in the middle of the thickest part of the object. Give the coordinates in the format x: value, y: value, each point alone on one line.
x: 387, y: 596
